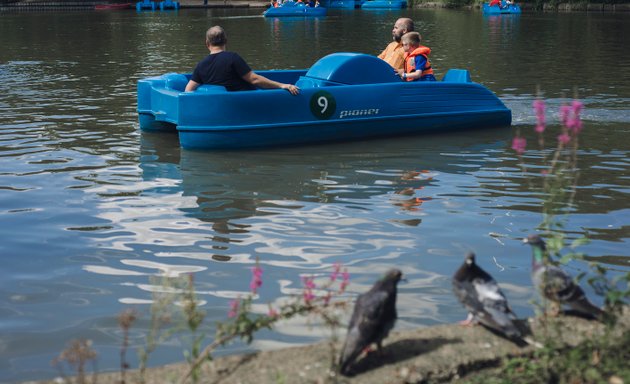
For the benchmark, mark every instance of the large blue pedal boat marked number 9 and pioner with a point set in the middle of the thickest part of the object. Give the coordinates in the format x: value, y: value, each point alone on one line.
x: 337, y: 102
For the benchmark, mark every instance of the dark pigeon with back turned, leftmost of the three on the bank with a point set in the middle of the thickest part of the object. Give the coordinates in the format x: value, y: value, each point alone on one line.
x: 373, y: 317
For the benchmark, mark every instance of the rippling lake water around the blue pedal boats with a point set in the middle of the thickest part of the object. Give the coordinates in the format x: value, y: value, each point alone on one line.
x: 91, y: 208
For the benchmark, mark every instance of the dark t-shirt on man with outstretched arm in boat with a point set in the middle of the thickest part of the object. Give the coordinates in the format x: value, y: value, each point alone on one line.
x: 223, y: 68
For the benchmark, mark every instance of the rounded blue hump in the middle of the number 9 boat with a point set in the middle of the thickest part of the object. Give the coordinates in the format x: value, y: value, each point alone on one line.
x: 352, y: 68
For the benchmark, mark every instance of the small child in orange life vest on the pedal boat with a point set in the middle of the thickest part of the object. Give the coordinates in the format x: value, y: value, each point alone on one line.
x: 417, y: 65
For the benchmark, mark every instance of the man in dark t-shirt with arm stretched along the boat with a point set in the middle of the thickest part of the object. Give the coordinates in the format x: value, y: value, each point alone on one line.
x: 228, y: 69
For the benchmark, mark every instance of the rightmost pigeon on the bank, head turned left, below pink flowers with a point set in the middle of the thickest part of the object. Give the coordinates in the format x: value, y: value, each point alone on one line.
x: 555, y: 284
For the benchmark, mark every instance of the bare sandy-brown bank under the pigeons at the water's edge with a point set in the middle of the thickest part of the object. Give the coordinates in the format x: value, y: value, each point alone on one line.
x: 434, y: 354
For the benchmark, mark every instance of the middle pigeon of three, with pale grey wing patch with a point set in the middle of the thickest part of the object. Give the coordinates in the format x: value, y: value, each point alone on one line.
x: 482, y: 297
